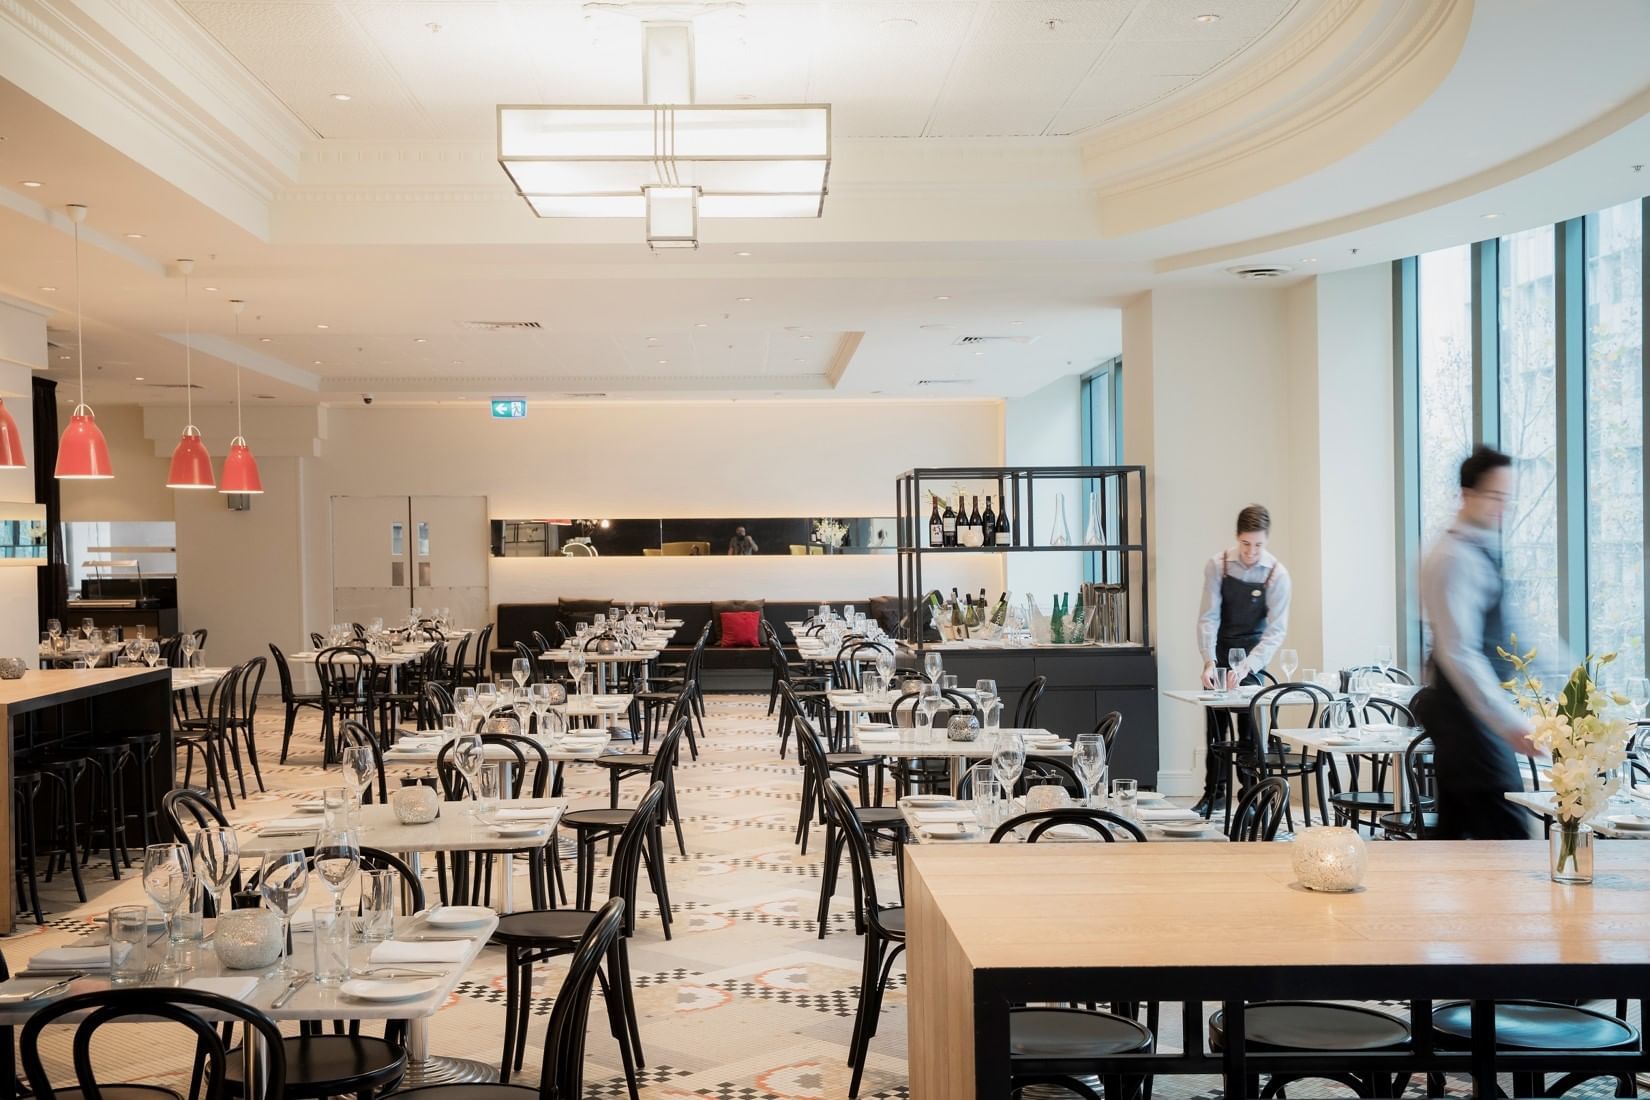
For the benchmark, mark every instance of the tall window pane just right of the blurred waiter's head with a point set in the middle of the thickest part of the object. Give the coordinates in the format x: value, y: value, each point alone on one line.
x: 1530, y: 431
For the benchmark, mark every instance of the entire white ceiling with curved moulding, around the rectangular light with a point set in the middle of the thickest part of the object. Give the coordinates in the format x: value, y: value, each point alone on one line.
x: 395, y: 225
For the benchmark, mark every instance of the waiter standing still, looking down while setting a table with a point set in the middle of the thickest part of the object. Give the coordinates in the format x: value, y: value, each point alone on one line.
x: 1245, y: 608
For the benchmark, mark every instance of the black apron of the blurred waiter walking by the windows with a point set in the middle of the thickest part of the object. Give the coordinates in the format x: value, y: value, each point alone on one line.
x: 1476, y: 768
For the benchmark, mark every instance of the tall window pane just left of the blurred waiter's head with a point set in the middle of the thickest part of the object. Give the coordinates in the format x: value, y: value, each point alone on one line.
x: 1446, y: 383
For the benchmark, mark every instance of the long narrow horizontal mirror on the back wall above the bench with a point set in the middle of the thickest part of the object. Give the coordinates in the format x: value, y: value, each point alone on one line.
x: 799, y: 537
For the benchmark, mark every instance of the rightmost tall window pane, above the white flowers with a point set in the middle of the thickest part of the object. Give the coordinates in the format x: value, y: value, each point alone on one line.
x: 1616, y: 507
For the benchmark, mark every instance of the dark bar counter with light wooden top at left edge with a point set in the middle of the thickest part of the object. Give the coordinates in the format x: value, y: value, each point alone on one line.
x: 37, y: 710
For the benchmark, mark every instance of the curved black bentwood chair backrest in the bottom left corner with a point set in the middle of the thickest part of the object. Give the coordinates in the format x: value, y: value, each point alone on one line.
x: 196, y: 1010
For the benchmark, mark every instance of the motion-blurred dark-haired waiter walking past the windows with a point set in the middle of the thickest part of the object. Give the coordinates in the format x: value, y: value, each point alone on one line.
x: 1476, y: 726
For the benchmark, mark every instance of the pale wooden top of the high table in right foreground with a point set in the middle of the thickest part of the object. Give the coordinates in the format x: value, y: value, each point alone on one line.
x: 1174, y: 906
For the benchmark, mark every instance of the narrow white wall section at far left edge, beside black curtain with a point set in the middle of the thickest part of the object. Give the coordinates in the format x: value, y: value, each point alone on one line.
x: 22, y: 349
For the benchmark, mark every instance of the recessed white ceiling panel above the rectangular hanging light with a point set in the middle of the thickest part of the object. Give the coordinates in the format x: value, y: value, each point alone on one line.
x: 890, y: 68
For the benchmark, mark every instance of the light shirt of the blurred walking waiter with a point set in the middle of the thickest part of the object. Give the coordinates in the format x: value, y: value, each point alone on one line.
x: 1459, y: 586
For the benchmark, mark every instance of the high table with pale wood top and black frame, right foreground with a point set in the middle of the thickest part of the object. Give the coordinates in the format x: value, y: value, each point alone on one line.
x: 1209, y: 926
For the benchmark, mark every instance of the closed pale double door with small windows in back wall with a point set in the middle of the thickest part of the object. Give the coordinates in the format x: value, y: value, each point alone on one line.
x: 395, y: 553
